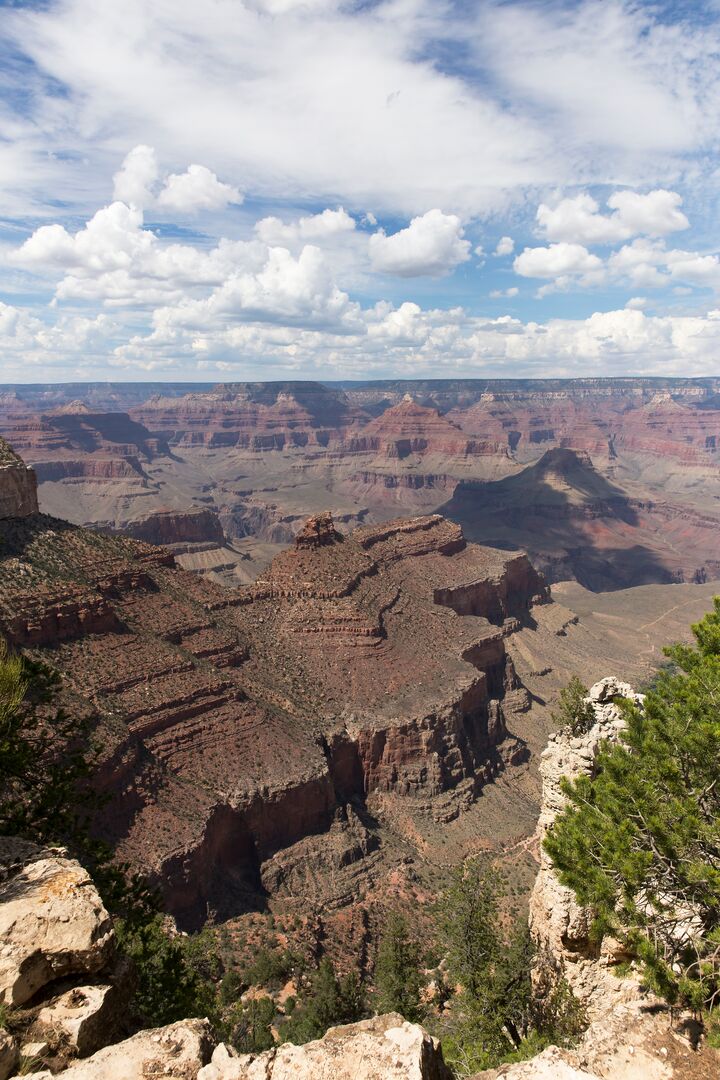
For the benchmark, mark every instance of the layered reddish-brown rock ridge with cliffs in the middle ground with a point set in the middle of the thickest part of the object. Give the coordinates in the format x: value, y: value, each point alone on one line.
x: 238, y: 723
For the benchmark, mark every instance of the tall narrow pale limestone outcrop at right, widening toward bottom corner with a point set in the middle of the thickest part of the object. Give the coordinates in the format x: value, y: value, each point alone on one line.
x: 632, y: 1034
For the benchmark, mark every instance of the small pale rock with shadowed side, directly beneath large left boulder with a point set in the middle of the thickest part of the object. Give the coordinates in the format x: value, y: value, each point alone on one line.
x: 87, y: 1016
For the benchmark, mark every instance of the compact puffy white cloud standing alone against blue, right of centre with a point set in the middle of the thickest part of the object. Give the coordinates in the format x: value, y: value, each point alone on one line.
x: 432, y: 246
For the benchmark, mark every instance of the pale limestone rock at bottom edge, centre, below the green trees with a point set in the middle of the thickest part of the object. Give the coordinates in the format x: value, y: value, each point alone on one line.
x: 379, y: 1049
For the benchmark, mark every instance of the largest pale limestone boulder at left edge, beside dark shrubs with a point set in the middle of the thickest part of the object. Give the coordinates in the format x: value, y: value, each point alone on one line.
x: 52, y: 921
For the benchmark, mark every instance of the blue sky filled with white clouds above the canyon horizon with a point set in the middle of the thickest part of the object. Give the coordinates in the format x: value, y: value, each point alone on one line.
x: 410, y: 188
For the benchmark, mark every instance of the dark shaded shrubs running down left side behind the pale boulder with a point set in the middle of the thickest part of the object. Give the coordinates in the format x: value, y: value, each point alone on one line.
x: 46, y: 761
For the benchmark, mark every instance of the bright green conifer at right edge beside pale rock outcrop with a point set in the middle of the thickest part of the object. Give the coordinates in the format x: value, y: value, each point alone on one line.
x: 641, y: 842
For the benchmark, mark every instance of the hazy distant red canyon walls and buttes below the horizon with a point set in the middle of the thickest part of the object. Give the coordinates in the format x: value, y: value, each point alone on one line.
x: 227, y: 475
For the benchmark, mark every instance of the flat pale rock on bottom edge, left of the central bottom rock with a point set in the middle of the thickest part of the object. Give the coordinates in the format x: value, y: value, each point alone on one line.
x: 176, y: 1052
